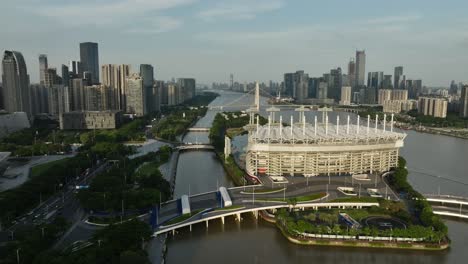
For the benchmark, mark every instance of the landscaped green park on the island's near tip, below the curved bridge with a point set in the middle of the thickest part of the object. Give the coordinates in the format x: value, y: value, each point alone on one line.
x: 388, y: 222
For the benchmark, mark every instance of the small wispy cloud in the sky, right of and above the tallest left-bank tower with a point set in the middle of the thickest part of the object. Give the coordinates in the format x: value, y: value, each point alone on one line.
x: 157, y: 25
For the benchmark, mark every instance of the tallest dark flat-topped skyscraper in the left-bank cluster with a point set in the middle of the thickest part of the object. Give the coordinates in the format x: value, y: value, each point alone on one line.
x: 89, y: 57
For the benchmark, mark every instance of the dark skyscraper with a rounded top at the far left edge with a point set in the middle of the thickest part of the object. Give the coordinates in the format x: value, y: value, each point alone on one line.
x: 15, y: 80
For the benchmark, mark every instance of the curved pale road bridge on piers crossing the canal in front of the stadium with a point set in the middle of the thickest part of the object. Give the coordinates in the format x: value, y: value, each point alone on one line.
x: 209, y: 206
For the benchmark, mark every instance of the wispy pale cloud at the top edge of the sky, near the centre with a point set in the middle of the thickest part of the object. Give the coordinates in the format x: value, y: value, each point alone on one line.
x: 240, y: 10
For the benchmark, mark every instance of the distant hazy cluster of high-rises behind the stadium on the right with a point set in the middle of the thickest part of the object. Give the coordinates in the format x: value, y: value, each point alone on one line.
x: 346, y: 88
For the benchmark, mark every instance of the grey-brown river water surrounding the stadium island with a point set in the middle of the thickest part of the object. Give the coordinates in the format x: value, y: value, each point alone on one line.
x: 435, y: 163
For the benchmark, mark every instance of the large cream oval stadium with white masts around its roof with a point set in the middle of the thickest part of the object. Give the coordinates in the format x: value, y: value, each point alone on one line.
x: 306, y: 149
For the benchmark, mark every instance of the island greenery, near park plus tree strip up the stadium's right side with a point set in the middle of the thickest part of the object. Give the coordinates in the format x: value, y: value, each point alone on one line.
x: 407, y: 224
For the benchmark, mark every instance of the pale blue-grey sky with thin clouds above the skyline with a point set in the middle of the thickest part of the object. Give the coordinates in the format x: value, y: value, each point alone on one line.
x: 252, y: 39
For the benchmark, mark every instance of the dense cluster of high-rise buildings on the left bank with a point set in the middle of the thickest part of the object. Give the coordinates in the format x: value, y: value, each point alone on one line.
x: 86, y: 88
